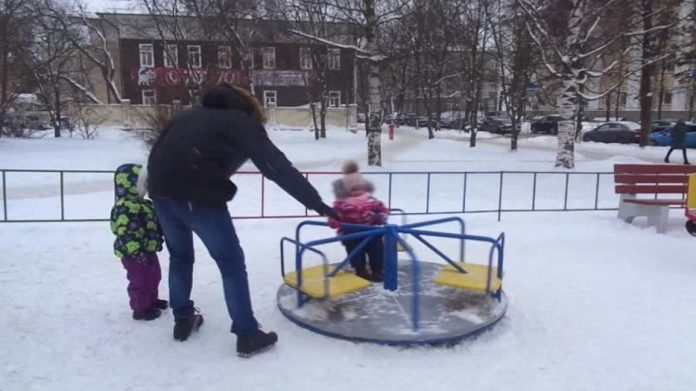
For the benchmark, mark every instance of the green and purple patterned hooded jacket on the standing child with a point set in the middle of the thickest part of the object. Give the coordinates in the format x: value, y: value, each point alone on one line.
x: 133, y: 218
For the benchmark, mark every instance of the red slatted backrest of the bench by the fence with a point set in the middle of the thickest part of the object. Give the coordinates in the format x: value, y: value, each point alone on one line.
x: 651, y: 178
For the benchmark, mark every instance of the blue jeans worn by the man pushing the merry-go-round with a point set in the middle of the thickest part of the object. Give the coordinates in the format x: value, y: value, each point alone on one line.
x: 179, y: 220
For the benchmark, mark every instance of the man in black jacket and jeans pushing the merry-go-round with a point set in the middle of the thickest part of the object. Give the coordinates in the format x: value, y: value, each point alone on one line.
x: 189, y: 173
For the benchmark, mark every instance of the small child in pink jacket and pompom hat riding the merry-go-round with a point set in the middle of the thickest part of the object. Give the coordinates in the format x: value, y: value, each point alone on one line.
x: 355, y: 205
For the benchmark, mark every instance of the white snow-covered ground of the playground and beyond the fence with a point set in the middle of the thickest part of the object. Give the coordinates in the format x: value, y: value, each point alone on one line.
x: 595, y: 303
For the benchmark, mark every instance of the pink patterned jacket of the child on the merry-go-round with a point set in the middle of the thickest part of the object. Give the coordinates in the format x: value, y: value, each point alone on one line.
x: 360, y: 209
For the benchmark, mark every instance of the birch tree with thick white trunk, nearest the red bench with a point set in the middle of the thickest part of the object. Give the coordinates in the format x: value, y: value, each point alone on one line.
x: 566, y: 32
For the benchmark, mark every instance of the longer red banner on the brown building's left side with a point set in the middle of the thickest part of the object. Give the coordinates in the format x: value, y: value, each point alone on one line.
x: 168, y: 77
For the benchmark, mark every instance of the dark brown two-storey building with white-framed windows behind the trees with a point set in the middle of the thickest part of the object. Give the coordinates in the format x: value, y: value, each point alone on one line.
x: 158, y: 62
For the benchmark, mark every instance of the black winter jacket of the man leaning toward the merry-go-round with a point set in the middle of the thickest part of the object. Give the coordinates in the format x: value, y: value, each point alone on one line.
x: 202, y: 147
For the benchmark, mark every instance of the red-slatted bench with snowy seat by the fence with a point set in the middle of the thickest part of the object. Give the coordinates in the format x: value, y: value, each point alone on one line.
x: 666, y: 185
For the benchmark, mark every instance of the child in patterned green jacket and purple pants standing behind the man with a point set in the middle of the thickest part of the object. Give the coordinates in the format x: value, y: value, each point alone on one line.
x: 138, y: 238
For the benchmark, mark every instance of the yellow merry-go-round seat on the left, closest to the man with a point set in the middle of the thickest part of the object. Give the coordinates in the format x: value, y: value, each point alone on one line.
x: 313, y: 286
